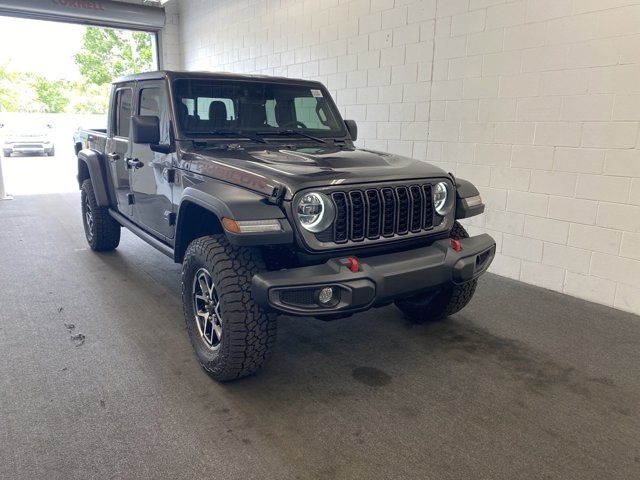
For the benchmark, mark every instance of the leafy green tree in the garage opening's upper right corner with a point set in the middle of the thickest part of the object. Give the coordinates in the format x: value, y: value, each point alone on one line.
x: 107, y: 54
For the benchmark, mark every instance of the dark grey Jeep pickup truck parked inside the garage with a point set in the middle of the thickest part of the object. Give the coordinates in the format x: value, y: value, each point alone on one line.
x: 254, y: 185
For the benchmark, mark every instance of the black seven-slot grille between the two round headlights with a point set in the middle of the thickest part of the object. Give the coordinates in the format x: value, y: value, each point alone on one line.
x: 374, y: 213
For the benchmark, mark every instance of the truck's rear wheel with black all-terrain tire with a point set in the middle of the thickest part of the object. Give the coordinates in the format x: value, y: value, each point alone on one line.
x: 101, y: 230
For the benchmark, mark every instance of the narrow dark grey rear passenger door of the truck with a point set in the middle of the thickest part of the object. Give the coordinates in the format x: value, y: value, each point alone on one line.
x: 117, y: 150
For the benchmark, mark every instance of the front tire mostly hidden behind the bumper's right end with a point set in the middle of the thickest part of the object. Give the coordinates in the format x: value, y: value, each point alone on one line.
x: 438, y: 305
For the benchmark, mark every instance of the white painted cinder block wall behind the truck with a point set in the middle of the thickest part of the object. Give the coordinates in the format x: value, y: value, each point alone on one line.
x: 536, y: 101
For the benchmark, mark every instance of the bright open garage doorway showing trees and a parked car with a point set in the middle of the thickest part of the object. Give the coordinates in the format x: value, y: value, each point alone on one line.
x: 55, y: 78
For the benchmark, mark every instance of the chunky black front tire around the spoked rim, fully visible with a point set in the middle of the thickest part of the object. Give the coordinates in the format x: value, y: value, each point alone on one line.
x: 248, y: 332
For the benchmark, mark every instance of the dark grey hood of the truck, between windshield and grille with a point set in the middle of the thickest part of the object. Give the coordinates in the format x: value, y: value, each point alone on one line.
x: 262, y: 168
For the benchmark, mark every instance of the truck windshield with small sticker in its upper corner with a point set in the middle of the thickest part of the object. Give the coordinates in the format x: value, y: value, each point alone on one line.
x: 215, y: 106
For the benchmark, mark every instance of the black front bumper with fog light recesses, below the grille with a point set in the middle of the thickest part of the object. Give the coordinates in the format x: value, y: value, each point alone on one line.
x: 377, y: 281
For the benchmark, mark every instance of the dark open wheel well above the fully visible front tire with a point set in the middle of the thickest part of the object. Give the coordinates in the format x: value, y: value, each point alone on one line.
x: 194, y: 221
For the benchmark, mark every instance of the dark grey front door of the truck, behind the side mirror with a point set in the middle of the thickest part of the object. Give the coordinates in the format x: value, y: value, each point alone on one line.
x: 151, y: 176
